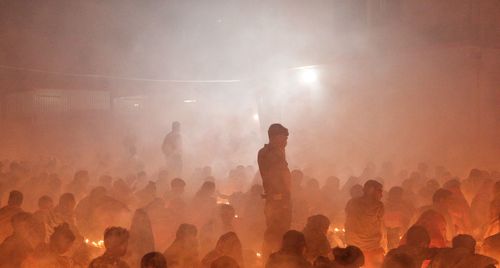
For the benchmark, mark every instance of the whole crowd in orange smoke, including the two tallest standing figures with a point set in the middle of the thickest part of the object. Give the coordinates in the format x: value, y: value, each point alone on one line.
x: 57, y: 215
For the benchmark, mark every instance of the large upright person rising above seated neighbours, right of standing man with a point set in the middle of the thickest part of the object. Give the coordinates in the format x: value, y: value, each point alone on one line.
x: 363, y: 224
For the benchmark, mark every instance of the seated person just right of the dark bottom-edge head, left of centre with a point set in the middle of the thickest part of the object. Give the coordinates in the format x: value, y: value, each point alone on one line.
x: 183, y: 252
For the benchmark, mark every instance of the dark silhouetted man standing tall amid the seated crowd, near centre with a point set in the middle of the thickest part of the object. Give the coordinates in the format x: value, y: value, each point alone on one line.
x: 276, y: 181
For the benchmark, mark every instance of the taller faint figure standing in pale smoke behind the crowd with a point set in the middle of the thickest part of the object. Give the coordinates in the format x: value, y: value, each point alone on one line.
x: 172, y: 150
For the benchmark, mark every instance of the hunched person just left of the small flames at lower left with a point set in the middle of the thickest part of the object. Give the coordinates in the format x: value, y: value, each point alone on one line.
x: 52, y: 254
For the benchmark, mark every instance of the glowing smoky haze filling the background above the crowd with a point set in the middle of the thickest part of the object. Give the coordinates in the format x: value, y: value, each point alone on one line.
x: 398, y: 80
